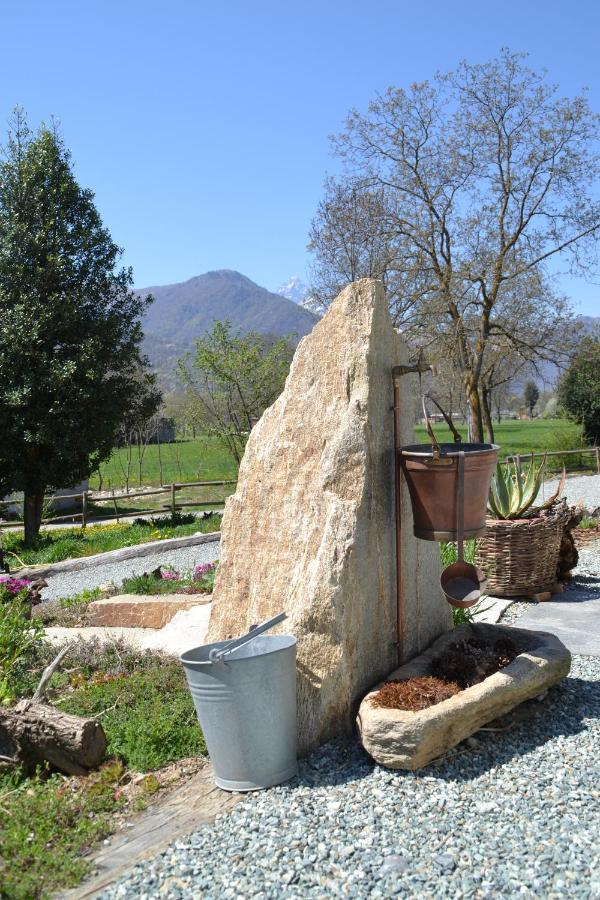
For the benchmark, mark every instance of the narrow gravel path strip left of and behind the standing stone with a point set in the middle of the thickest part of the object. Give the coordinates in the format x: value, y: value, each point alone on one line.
x: 65, y: 584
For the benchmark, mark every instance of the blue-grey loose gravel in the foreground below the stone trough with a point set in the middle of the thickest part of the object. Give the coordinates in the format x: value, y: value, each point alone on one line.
x: 515, y: 814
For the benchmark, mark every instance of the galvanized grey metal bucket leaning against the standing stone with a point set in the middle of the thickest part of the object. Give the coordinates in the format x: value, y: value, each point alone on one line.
x: 245, y: 699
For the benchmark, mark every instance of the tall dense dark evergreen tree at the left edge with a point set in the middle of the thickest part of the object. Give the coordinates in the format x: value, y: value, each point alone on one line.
x: 70, y: 364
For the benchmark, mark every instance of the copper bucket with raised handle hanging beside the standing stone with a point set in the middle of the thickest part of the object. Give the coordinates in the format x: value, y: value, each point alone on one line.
x: 432, y: 475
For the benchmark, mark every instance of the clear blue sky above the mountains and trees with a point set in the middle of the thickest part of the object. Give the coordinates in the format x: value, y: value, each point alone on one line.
x: 203, y: 127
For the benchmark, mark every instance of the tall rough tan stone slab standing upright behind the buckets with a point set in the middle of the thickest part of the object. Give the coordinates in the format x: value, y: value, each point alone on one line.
x: 310, y: 528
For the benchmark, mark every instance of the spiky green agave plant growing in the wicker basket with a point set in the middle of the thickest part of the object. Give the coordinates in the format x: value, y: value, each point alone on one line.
x: 513, y: 491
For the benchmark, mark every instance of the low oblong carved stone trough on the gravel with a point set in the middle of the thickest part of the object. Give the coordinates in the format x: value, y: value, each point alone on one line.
x: 401, y: 739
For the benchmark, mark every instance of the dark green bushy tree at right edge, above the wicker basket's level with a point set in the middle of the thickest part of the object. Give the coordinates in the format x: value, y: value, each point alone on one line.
x: 579, y: 389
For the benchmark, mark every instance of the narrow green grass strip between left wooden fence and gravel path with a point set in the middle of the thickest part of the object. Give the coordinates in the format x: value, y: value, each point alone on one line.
x: 64, y: 543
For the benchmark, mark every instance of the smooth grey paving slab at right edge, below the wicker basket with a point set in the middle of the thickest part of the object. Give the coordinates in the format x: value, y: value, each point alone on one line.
x: 575, y: 622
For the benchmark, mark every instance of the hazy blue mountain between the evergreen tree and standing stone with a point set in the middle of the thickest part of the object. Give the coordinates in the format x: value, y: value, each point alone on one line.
x: 185, y: 311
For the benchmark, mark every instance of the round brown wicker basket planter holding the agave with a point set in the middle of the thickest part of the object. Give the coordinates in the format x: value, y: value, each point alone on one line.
x: 520, y: 557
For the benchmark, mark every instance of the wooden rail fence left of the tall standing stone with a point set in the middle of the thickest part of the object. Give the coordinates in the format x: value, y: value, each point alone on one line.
x: 88, y: 497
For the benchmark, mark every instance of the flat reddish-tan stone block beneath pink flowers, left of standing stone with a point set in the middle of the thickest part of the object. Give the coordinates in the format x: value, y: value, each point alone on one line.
x: 141, y: 610
